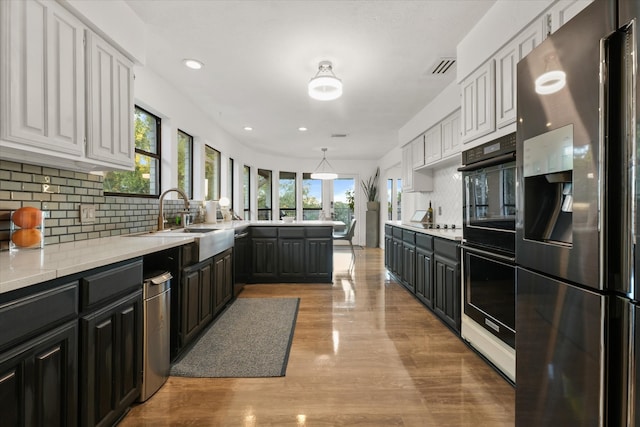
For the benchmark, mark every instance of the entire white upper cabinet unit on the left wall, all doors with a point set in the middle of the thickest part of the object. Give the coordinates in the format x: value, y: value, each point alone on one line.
x: 64, y: 100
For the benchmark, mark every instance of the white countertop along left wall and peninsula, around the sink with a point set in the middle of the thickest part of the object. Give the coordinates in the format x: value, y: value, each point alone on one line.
x: 31, y: 266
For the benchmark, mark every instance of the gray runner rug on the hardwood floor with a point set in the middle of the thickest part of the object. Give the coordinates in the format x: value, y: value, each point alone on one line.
x: 251, y: 338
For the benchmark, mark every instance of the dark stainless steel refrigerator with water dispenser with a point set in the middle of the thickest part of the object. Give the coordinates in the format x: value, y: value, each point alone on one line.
x: 577, y: 312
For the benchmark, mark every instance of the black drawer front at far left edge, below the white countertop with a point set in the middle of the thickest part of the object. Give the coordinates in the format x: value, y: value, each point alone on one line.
x: 33, y: 314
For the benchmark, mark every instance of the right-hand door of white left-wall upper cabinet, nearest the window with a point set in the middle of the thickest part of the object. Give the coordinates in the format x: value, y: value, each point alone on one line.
x: 109, y: 104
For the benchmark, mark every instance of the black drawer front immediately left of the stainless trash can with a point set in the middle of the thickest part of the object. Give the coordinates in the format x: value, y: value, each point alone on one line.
x: 102, y: 287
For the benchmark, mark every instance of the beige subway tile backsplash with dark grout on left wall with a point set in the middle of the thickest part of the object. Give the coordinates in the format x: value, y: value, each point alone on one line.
x: 59, y: 193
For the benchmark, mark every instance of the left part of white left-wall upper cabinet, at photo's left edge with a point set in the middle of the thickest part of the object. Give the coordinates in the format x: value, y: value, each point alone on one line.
x: 43, y: 78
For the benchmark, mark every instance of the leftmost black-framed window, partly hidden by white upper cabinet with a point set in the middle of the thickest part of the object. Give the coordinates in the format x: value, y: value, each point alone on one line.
x: 144, y: 180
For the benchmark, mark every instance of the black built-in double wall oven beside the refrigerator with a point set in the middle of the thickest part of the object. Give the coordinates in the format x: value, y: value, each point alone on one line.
x: 488, y: 247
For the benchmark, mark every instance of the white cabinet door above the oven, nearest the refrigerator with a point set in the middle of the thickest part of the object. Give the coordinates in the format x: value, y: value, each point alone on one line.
x: 506, y: 71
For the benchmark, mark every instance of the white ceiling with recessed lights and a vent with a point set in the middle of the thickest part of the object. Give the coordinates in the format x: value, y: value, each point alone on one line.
x: 260, y: 54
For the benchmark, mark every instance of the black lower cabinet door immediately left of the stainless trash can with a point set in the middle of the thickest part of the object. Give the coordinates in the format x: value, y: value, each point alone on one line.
x: 111, y: 360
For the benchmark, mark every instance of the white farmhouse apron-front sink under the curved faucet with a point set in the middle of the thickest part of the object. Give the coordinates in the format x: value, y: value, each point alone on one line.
x: 210, y: 241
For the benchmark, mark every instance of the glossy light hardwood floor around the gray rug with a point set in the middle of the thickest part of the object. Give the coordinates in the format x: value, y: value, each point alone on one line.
x: 364, y: 352
